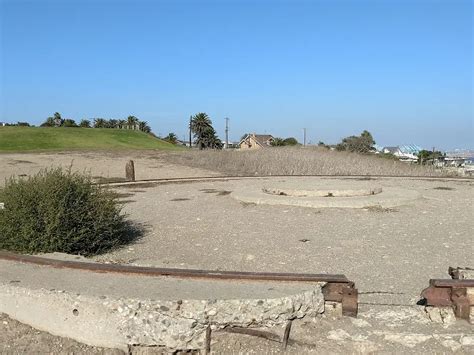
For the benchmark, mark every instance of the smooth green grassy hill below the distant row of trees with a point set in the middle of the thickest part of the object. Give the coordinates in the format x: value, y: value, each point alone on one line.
x: 64, y: 138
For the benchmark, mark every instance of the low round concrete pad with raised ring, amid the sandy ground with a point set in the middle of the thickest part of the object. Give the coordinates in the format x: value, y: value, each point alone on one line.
x: 325, y: 193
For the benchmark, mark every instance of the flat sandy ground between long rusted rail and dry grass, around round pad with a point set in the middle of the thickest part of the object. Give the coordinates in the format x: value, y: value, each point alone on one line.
x: 390, y: 254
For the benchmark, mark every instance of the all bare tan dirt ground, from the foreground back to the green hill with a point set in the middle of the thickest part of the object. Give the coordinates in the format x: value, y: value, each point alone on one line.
x: 390, y: 253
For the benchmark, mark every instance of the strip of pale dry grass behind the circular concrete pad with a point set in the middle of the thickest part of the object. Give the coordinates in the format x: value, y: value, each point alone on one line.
x: 296, y: 161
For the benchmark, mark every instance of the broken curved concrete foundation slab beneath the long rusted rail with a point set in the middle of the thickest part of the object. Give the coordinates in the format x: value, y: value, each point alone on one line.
x: 114, y: 310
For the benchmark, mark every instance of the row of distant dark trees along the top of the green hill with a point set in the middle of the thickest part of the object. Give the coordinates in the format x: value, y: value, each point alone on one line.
x: 131, y: 122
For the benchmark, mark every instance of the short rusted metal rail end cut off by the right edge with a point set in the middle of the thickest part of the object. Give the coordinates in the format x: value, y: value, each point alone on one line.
x: 451, y: 293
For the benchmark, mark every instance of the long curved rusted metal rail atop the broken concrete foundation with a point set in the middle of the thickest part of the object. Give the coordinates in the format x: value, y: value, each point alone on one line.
x: 337, y: 288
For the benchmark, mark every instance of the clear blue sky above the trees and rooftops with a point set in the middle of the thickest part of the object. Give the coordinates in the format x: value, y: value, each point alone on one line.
x: 400, y: 69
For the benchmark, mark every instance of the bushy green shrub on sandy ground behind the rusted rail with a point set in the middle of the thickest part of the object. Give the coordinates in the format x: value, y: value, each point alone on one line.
x: 61, y: 211
